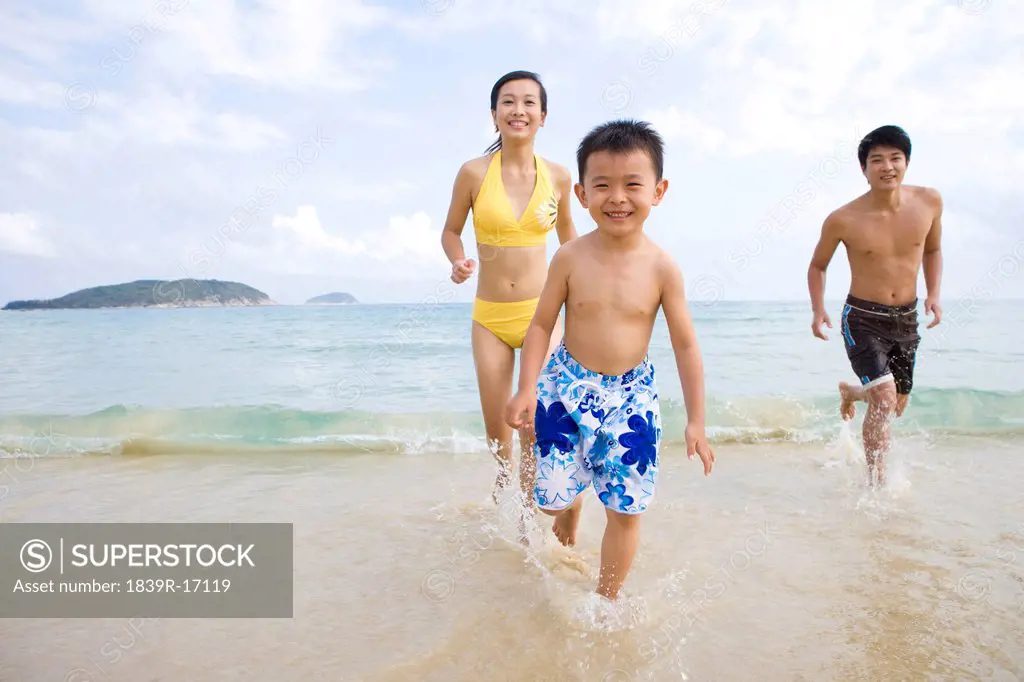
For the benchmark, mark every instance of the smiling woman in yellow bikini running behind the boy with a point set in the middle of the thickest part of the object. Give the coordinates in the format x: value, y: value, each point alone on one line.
x: 518, y: 199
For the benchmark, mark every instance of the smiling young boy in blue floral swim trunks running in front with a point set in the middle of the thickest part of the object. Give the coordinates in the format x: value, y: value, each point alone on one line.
x: 596, y: 405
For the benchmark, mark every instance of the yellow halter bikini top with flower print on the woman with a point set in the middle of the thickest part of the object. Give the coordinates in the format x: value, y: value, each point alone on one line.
x: 494, y: 221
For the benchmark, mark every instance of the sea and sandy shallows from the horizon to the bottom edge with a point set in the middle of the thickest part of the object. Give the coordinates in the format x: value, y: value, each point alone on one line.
x: 361, y: 425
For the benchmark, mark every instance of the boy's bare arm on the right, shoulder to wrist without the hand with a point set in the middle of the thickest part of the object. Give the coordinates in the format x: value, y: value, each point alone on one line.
x: 685, y: 340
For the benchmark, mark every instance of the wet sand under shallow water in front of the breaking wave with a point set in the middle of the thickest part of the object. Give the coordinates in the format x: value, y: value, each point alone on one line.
x: 781, y: 566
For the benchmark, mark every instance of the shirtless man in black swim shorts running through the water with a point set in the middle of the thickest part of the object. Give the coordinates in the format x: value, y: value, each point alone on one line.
x: 890, y: 233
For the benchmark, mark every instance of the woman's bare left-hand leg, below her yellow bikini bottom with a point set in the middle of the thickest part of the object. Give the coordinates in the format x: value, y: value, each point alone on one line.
x: 495, y: 363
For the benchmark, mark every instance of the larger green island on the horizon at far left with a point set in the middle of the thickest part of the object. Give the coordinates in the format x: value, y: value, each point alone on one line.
x: 153, y: 294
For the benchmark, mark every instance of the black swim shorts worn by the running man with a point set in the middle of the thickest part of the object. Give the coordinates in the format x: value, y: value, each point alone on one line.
x: 882, y: 343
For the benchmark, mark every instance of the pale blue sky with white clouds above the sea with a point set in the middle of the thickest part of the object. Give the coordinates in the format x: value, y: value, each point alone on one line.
x: 304, y: 147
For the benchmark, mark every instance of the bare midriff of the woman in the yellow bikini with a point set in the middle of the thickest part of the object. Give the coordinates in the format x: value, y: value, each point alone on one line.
x: 511, y: 274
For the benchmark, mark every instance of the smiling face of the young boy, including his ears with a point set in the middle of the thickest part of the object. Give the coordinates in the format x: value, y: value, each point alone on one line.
x: 619, y: 190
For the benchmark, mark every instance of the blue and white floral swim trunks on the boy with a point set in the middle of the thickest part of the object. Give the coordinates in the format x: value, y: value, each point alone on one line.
x: 596, y: 430
